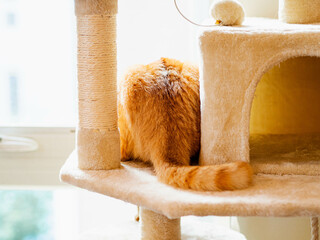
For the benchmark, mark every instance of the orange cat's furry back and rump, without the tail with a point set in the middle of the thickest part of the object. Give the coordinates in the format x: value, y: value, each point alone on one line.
x: 160, y: 102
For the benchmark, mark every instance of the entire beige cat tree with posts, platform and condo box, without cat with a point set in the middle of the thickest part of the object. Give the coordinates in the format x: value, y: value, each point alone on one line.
x: 233, y: 60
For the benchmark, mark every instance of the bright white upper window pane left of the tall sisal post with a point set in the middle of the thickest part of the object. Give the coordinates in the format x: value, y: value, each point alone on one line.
x: 37, y: 63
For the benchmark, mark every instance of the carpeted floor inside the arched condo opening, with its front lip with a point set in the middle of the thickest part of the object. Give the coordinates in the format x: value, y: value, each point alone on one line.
x: 285, y: 153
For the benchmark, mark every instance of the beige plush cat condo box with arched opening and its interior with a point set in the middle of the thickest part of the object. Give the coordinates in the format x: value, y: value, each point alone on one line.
x: 233, y: 62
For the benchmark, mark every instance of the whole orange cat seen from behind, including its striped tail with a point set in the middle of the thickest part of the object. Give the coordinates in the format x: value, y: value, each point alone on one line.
x: 159, y: 122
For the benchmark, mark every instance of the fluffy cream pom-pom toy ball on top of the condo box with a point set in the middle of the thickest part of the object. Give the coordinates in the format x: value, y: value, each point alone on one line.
x: 227, y: 12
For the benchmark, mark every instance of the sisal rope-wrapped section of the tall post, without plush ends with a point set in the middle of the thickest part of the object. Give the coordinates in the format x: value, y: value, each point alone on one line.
x: 97, y: 72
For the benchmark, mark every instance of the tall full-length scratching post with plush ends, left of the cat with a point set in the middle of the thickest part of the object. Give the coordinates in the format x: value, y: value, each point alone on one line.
x: 98, y: 141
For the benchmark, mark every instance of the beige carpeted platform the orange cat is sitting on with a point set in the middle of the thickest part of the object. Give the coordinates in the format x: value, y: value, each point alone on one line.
x: 270, y: 195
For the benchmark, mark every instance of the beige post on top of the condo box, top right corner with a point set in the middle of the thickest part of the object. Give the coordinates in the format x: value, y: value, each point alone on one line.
x: 299, y: 11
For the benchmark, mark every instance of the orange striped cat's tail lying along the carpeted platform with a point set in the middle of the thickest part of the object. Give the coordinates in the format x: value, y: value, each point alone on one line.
x: 229, y: 176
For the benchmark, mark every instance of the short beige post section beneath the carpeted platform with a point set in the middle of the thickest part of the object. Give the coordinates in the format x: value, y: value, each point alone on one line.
x: 155, y: 226
